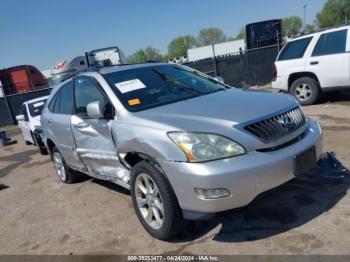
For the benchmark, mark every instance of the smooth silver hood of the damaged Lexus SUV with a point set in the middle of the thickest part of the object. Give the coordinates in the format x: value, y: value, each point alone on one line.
x: 232, y: 107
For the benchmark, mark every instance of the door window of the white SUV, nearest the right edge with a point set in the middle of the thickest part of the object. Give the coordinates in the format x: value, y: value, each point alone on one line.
x: 331, y: 43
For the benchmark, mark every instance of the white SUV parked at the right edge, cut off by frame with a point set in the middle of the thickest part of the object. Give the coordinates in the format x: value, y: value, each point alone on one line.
x: 314, y: 64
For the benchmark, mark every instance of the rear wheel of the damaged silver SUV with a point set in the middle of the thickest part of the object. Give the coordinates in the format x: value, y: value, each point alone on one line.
x: 63, y: 171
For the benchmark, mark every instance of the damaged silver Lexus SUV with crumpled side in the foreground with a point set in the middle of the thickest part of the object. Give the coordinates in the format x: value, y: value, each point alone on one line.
x: 185, y: 144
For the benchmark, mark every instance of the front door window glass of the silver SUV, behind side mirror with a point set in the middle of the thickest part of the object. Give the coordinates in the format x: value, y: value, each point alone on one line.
x: 86, y: 91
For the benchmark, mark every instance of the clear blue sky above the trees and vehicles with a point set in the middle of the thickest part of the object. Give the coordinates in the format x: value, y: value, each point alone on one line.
x: 43, y: 32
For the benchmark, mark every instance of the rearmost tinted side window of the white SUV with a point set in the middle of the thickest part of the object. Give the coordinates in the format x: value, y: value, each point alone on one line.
x: 294, y: 49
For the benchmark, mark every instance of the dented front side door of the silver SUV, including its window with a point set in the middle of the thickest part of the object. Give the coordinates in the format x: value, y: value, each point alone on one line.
x: 95, y: 144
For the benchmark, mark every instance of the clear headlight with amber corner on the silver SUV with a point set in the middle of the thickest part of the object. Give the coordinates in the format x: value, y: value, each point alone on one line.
x: 200, y: 147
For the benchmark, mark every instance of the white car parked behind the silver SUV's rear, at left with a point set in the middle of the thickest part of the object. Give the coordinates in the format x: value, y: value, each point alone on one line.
x: 29, y: 122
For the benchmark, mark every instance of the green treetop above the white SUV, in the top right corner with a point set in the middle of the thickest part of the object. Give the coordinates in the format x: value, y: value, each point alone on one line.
x: 334, y: 13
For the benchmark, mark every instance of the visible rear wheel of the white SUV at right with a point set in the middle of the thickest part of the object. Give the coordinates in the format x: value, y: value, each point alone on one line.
x: 306, y: 90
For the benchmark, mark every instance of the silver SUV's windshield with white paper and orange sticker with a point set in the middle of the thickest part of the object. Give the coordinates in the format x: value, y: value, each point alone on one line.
x: 147, y: 87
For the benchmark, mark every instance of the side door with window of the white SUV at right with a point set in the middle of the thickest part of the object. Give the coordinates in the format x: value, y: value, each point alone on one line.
x: 330, y: 59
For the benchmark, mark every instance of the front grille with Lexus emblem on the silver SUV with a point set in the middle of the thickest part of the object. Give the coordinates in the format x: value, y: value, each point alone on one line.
x: 279, y: 126
